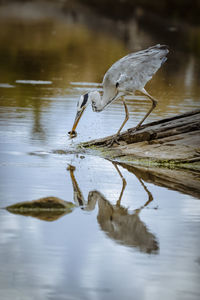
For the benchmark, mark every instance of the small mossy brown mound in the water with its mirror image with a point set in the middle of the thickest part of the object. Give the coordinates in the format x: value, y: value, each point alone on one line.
x: 47, y: 209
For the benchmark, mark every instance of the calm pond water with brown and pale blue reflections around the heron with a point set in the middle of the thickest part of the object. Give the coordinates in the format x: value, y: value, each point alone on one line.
x: 124, y: 238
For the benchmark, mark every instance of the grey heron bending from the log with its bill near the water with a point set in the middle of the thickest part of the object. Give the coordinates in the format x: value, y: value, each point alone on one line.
x: 125, y: 76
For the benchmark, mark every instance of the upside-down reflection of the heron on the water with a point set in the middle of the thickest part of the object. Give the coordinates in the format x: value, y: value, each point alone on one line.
x: 118, y: 223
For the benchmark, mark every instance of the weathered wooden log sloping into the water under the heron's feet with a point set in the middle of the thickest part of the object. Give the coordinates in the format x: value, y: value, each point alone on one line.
x: 172, y: 140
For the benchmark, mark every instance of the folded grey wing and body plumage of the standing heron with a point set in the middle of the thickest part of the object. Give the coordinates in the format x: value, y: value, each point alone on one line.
x: 133, y: 71
